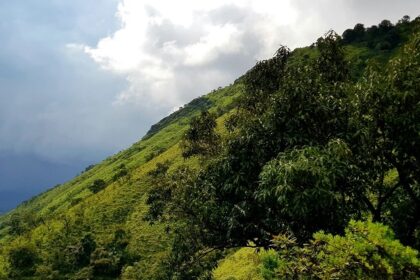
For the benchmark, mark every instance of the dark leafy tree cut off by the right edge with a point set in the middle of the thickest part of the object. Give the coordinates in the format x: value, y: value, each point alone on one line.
x: 386, y: 141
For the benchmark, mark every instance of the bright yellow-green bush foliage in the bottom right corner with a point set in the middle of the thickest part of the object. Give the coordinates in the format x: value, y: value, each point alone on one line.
x: 366, y: 251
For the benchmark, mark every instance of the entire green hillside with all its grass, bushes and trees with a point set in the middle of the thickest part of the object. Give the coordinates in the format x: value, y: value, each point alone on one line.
x: 308, y: 166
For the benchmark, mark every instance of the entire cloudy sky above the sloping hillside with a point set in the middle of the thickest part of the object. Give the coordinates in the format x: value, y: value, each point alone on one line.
x: 83, y: 79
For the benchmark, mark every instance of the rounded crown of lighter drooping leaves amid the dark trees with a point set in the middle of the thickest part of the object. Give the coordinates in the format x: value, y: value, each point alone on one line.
x: 310, y: 189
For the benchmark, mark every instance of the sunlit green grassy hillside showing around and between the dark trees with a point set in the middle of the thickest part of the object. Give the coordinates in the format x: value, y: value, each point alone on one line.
x: 94, y: 227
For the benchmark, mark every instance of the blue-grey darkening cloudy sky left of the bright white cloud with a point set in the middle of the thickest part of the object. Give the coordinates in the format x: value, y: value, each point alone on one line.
x: 56, y: 105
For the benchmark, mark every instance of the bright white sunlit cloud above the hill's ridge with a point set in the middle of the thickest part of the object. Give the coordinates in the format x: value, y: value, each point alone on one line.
x: 172, y: 51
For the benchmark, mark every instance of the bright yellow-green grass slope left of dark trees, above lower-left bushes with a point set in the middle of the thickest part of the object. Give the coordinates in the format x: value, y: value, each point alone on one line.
x: 71, y: 210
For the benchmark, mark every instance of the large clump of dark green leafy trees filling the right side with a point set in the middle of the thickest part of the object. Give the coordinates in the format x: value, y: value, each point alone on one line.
x: 309, y: 149
